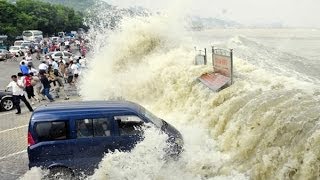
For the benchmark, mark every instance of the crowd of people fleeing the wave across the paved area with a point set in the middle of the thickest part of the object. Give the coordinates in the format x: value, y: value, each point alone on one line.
x: 47, y: 81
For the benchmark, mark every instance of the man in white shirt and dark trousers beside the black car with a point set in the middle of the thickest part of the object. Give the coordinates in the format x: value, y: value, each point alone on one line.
x: 18, y: 94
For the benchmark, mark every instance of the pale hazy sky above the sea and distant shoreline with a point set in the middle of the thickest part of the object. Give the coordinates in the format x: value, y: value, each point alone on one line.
x: 302, y: 13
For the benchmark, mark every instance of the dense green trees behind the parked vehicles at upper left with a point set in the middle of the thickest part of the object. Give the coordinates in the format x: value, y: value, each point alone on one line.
x: 34, y: 14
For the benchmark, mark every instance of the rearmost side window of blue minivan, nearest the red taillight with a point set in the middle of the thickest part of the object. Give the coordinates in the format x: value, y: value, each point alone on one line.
x: 51, y: 131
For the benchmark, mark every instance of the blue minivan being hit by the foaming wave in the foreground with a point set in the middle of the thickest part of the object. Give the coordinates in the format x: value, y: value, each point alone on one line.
x: 71, y: 138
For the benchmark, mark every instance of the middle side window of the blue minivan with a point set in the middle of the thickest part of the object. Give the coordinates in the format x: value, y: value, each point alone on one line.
x: 98, y: 127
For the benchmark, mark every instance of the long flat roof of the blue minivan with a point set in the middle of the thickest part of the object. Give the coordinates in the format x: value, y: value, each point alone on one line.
x: 88, y: 105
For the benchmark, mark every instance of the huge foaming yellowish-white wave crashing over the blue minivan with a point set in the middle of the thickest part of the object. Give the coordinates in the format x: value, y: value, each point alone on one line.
x: 265, y: 126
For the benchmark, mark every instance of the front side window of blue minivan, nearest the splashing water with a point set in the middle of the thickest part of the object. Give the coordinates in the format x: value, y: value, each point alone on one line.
x: 129, y: 125
